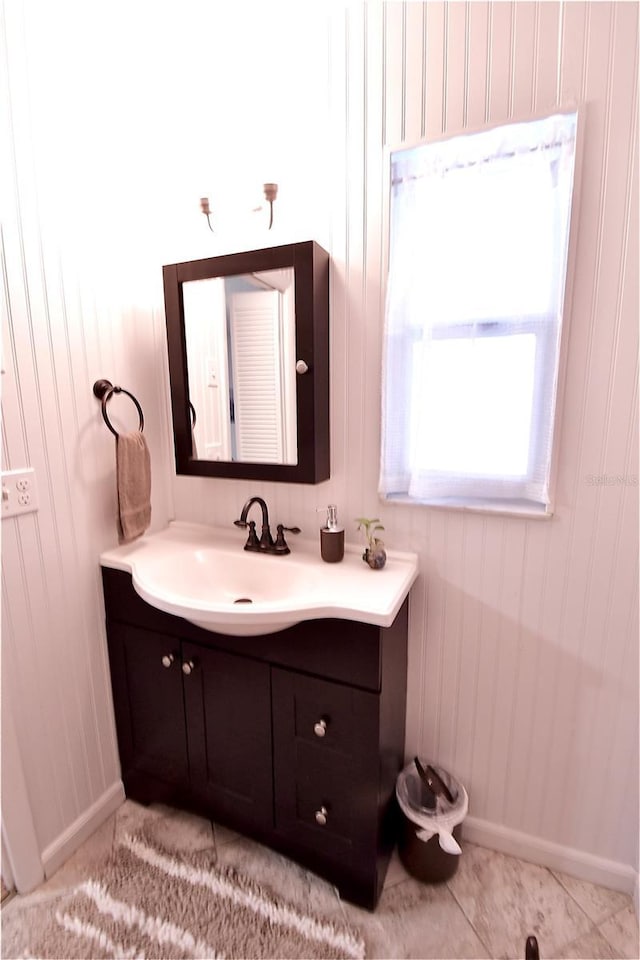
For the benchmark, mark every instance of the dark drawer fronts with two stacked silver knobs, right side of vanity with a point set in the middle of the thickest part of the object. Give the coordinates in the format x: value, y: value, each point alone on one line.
x: 326, y: 767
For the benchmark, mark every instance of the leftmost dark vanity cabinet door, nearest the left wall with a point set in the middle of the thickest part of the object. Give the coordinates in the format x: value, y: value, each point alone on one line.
x: 149, y: 706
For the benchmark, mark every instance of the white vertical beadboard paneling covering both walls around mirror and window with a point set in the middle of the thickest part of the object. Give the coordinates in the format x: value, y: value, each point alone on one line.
x: 523, y: 673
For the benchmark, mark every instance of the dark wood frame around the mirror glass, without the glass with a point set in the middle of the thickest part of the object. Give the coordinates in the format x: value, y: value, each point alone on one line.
x: 311, y: 271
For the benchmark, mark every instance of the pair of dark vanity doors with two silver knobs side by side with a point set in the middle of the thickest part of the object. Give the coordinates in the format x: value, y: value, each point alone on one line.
x: 175, y: 727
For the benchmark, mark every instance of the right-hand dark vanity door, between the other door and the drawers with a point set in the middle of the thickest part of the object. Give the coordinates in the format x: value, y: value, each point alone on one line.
x: 228, y: 707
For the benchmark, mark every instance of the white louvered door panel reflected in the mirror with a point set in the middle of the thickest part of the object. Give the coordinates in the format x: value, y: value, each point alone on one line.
x: 255, y: 353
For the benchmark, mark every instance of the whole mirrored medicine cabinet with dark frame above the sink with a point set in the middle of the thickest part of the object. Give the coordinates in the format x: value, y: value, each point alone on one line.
x: 248, y: 338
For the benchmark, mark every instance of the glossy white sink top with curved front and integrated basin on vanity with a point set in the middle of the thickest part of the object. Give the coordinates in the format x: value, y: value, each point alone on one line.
x: 204, y: 575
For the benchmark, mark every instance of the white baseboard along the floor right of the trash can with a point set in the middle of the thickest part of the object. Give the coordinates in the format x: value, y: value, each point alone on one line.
x: 577, y: 863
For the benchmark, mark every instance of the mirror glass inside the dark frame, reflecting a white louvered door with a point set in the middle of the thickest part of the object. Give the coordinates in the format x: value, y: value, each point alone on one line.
x: 240, y: 340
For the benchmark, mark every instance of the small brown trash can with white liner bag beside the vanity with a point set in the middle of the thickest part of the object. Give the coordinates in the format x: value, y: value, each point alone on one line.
x: 433, y: 805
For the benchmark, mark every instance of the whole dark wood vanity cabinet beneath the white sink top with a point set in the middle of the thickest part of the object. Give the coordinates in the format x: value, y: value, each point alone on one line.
x: 294, y: 738
